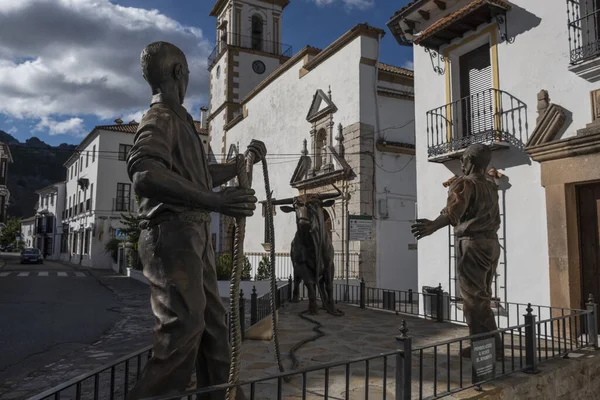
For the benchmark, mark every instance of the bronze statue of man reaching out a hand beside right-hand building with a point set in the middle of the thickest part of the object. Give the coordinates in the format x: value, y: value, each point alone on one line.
x: 472, y: 209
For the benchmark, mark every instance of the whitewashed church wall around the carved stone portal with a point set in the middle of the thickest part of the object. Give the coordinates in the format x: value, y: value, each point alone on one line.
x: 280, y: 121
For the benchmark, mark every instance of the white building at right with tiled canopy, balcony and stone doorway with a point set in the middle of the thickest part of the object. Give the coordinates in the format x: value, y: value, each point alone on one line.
x: 482, y: 67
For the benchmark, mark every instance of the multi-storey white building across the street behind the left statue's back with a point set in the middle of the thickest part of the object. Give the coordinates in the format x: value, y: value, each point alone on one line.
x: 98, y: 192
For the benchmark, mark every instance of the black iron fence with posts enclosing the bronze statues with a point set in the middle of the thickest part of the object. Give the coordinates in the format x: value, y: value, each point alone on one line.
x: 428, y: 371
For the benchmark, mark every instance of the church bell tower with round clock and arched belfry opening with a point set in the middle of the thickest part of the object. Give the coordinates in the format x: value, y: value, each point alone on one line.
x: 248, y: 48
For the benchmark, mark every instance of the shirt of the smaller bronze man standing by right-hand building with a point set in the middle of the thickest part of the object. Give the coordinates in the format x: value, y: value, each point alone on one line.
x: 472, y: 206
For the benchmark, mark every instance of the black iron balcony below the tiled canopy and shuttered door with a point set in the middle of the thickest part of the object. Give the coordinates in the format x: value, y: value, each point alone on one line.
x: 491, y: 117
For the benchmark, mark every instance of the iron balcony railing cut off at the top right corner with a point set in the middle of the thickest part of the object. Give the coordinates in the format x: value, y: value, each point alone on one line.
x: 583, y: 19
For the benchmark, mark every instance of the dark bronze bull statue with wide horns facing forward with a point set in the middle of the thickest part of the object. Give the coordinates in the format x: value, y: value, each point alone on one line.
x: 312, y: 251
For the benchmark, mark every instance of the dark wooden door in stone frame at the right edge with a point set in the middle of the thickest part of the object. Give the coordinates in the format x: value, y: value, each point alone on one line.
x: 588, y: 199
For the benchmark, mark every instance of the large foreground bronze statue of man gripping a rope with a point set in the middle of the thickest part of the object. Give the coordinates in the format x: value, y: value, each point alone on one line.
x: 170, y: 173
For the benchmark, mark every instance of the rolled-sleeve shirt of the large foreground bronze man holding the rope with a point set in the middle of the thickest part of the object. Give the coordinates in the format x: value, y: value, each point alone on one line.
x: 167, y: 134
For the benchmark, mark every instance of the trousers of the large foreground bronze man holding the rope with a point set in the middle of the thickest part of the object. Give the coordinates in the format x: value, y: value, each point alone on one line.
x: 190, y: 331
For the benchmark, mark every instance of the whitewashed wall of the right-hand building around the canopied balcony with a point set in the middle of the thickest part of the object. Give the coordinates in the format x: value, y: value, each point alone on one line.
x: 538, y: 59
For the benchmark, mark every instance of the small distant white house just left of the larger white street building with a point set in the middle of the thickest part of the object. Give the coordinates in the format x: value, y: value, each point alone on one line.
x: 48, y: 226
